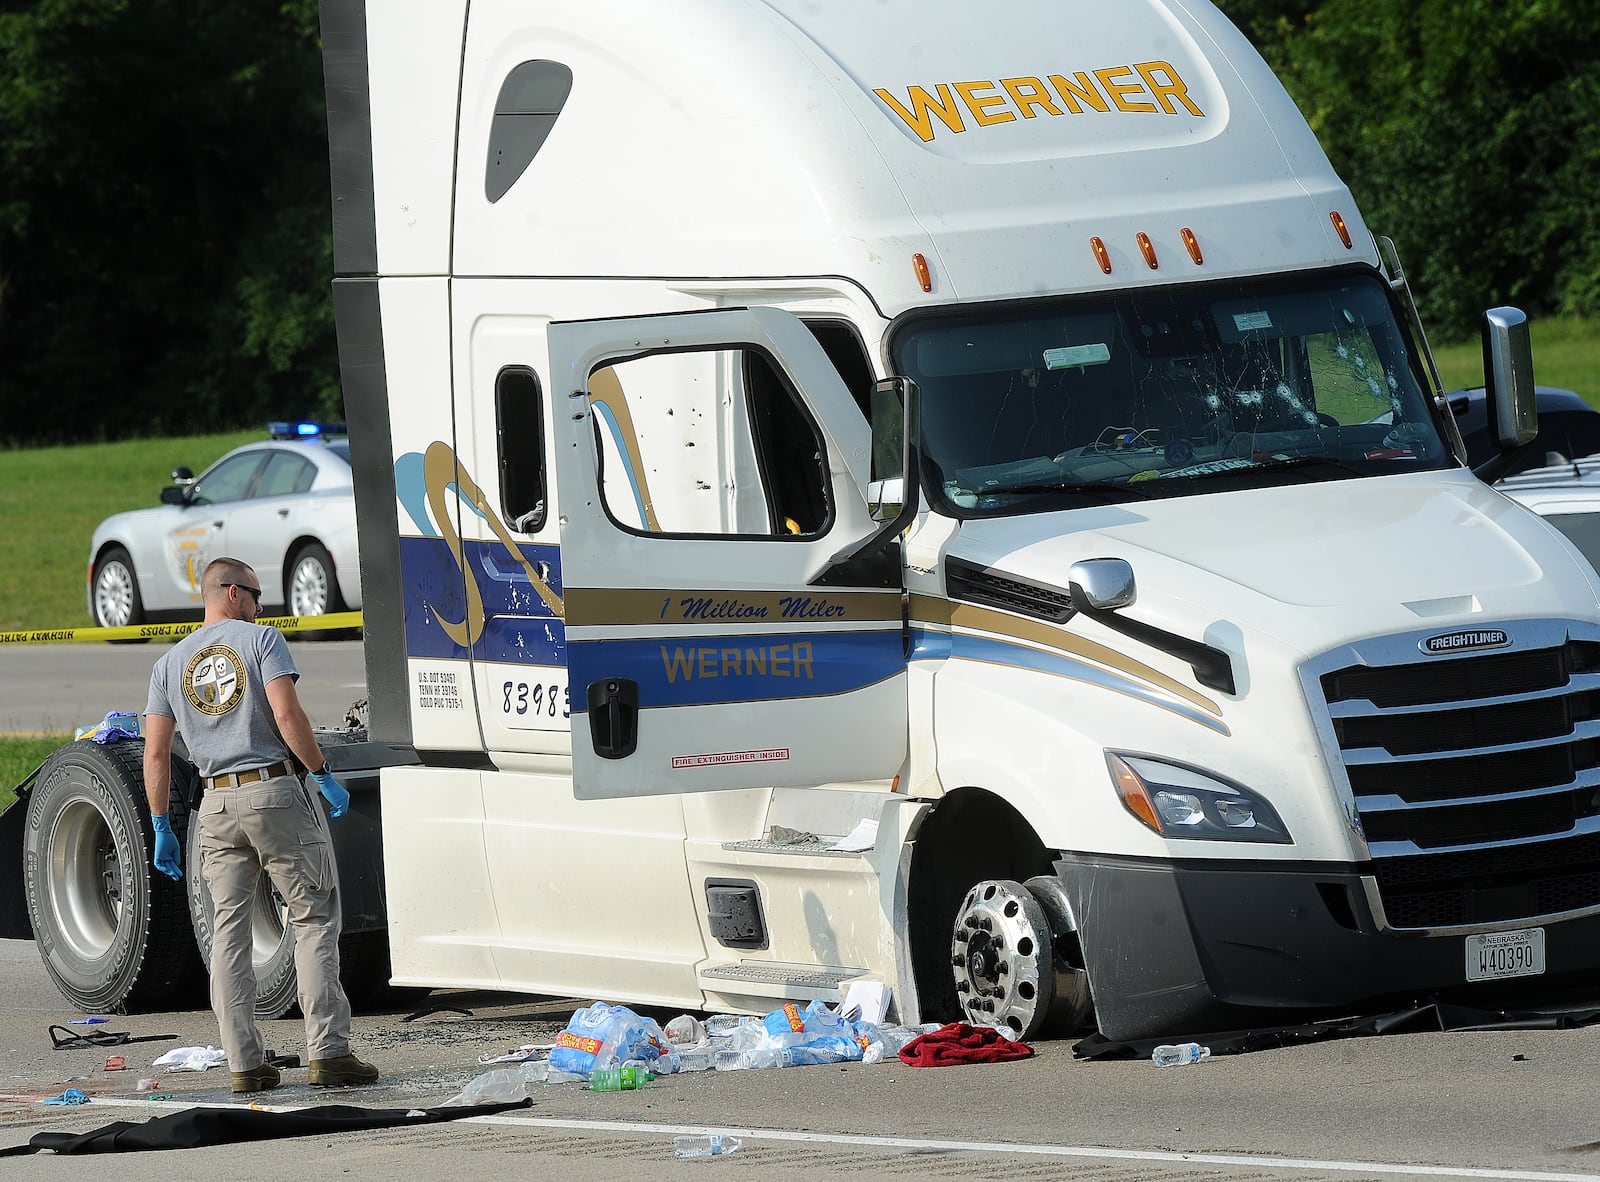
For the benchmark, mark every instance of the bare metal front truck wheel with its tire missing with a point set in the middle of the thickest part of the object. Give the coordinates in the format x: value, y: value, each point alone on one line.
x: 1007, y: 967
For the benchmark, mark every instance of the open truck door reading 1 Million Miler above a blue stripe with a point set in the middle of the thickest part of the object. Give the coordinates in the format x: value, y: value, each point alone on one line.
x: 713, y: 469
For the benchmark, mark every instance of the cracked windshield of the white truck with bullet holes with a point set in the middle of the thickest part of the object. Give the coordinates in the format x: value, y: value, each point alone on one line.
x: 1054, y: 405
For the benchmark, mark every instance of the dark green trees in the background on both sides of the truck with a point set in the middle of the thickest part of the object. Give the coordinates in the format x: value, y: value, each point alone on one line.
x: 166, y: 249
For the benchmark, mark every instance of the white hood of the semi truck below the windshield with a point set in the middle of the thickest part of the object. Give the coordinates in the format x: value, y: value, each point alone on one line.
x: 1311, y: 564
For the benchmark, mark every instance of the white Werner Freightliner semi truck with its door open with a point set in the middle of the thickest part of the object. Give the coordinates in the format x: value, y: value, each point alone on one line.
x: 986, y: 434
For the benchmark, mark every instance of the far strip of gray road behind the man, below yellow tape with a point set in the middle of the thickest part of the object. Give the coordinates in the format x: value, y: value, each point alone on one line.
x: 57, y: 689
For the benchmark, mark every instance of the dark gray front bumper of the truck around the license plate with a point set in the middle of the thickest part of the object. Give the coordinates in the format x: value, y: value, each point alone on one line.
x: 1198, y: 948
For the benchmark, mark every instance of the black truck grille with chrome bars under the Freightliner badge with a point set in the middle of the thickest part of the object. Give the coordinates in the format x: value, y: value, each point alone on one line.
x: 1478, y: 783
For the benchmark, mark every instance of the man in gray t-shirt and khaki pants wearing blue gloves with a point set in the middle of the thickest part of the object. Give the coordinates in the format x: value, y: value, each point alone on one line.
x: 230, y: 690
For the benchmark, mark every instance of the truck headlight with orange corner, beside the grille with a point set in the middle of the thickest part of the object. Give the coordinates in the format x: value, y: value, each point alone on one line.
x: 1182, y: 802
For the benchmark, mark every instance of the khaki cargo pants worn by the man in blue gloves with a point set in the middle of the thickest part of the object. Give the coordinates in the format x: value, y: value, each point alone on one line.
x: 278, y: 828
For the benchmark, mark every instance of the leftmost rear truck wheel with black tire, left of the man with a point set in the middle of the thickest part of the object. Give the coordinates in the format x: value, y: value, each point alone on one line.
x: 110, y: 928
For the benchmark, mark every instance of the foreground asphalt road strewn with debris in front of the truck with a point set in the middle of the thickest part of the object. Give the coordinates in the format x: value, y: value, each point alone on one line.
x: 1505, y: 1104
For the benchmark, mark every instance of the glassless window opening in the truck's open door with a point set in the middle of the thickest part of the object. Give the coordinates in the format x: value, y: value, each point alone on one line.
x: 724, y: 431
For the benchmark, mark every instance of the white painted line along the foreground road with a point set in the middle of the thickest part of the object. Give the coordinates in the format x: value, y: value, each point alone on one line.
x: 1263, y: 1162
